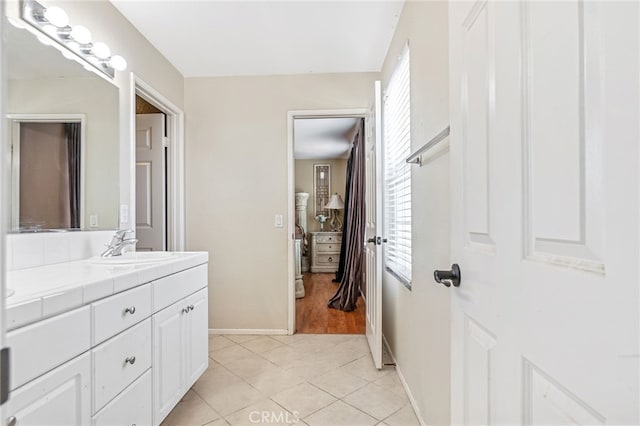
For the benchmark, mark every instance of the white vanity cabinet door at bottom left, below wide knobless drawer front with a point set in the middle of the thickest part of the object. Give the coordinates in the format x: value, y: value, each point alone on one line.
x: 60, y: 397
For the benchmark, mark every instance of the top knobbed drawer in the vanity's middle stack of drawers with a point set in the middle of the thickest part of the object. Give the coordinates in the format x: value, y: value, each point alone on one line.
x: 119, y: 312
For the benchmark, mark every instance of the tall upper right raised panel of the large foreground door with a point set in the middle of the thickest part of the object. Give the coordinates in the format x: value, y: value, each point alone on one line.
x: 563, y: 226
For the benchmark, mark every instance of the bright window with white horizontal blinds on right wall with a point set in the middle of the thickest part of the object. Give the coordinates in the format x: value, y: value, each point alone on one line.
x: 397, y: 173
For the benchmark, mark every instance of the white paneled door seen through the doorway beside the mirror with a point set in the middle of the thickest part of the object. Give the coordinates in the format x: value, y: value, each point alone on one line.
x: 150, y: 182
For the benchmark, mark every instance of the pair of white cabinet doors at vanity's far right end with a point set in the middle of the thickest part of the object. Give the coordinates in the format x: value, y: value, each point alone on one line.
x: 180, y: 351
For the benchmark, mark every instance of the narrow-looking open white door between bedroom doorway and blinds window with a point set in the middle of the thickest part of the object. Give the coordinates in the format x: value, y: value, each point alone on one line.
x: 373, y: 230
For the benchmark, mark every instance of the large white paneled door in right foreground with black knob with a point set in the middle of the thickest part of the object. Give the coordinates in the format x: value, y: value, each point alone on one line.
x: 544, y: 147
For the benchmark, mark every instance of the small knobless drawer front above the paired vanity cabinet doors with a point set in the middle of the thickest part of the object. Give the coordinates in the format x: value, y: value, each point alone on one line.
x: 172, y: 288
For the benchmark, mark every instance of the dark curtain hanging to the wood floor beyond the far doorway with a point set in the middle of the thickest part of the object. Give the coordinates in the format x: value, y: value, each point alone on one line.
x: 350, y: 266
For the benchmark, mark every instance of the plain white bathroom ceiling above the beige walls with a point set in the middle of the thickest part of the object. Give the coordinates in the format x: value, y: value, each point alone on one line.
x: 210, y: 38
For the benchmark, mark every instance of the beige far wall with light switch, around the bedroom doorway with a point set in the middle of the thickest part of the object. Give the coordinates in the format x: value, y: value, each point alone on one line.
x: 236, y: 163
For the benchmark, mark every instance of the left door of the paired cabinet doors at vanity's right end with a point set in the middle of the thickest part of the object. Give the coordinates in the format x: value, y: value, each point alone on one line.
x: 168, y: 349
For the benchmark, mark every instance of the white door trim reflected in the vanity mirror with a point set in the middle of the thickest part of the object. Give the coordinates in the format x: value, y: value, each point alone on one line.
x: 16, y: 119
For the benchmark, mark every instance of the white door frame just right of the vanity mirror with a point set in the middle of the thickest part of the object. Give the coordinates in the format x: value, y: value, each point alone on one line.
x: 175, y: 199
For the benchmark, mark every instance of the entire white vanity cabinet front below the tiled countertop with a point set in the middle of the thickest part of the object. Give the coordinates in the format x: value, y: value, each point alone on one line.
x: 124, y: 359
